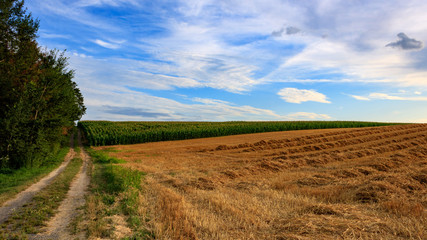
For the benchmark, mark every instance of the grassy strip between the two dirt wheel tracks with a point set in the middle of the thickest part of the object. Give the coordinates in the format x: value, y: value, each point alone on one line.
x: 32, y: 216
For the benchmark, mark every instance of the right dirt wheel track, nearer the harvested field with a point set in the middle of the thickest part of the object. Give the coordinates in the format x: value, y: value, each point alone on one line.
x: 57, y: 227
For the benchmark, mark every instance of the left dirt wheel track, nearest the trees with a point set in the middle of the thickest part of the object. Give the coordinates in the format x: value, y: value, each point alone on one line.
x: 25, y: 196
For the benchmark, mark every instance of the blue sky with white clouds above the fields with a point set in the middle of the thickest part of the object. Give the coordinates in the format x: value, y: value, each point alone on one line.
x: 213, y: 60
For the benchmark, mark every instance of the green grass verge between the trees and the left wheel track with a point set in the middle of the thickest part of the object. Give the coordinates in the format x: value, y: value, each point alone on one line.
x: 15, y: 181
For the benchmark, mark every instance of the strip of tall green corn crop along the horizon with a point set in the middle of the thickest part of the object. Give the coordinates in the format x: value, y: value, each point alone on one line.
x: 99, y: 133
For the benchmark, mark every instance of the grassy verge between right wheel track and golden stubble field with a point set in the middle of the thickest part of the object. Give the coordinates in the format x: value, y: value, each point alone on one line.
x: 114, y: 208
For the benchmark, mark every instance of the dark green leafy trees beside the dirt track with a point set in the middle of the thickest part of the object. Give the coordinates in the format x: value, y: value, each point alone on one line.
x: 38, y: 98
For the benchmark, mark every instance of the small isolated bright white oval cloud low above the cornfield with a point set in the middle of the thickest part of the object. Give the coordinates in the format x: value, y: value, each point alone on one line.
x: 294, y: 95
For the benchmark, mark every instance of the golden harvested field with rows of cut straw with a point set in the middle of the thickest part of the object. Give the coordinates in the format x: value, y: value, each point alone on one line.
x: 365, y: 183
